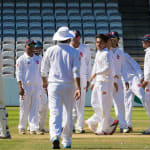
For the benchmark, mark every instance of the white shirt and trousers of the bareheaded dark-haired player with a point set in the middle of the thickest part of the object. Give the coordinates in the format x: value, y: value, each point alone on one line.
x: 103, y: 89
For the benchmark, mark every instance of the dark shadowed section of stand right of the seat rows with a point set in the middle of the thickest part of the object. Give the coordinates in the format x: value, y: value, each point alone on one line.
x: 135, y: 24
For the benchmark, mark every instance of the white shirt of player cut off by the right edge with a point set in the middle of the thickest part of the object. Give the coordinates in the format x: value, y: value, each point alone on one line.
x: 147, y: 65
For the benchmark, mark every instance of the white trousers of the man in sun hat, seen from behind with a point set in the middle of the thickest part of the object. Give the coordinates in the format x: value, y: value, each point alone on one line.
x: 60, y: 95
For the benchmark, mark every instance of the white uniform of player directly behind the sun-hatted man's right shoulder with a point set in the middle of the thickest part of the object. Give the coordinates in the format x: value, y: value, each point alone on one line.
x: 85, y: 71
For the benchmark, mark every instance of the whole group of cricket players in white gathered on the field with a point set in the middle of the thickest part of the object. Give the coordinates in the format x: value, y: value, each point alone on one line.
x: 59, y: 81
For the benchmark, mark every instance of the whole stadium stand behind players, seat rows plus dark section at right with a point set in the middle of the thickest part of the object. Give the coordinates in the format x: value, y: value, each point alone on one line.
x: 39, y: 19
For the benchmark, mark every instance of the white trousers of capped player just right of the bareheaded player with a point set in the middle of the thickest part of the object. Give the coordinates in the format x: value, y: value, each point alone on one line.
x: 119, y: 106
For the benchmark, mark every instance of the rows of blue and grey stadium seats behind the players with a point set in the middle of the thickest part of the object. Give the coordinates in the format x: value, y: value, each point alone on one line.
x: 39, y: 20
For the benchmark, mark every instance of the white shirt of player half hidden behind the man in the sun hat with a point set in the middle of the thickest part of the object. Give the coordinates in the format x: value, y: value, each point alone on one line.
x: 85, y: 66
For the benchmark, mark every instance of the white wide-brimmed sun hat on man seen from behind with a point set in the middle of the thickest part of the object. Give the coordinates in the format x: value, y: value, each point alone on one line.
x: 62, y: 34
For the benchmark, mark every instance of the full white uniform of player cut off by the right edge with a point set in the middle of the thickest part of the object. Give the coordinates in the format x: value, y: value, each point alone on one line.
x: 147, y: 78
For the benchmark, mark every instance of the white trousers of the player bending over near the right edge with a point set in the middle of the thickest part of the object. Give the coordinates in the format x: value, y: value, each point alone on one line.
x: 135, y: 88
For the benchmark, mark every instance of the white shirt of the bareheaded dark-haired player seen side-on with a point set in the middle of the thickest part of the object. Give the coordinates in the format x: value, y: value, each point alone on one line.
x: 102, y: 66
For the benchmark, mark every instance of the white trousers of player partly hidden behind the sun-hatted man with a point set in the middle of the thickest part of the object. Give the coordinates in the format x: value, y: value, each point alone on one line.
x: 78, y: 109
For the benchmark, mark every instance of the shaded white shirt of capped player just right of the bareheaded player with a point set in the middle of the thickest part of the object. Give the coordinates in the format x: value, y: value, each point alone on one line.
x: 120, y: 68
